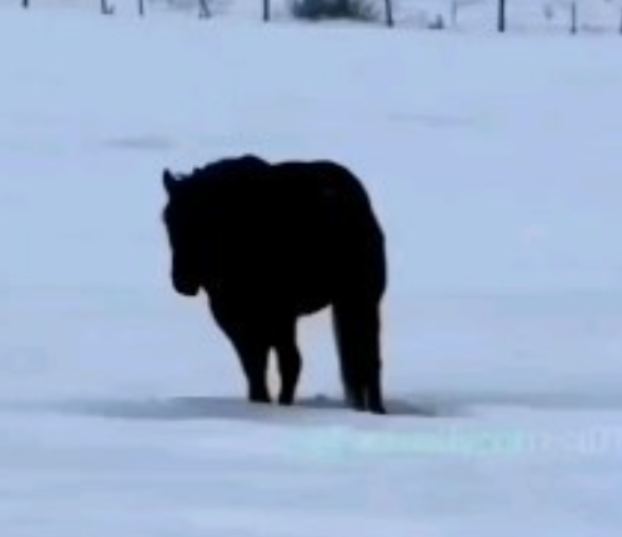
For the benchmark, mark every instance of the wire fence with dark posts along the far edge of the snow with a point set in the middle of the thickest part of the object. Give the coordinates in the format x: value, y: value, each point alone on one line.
x: 565, y: 16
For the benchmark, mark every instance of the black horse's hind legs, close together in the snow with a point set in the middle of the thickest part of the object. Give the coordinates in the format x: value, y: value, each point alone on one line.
x: 357, y: 331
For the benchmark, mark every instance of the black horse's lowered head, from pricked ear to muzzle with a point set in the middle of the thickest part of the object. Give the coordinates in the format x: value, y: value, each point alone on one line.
x: 178, y: 219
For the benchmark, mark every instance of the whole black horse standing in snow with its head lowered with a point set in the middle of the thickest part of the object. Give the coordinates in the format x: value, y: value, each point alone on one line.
x: 270, y: 242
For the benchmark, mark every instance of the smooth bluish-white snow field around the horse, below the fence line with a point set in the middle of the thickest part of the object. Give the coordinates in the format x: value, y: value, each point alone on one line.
x: 494, y: 164
